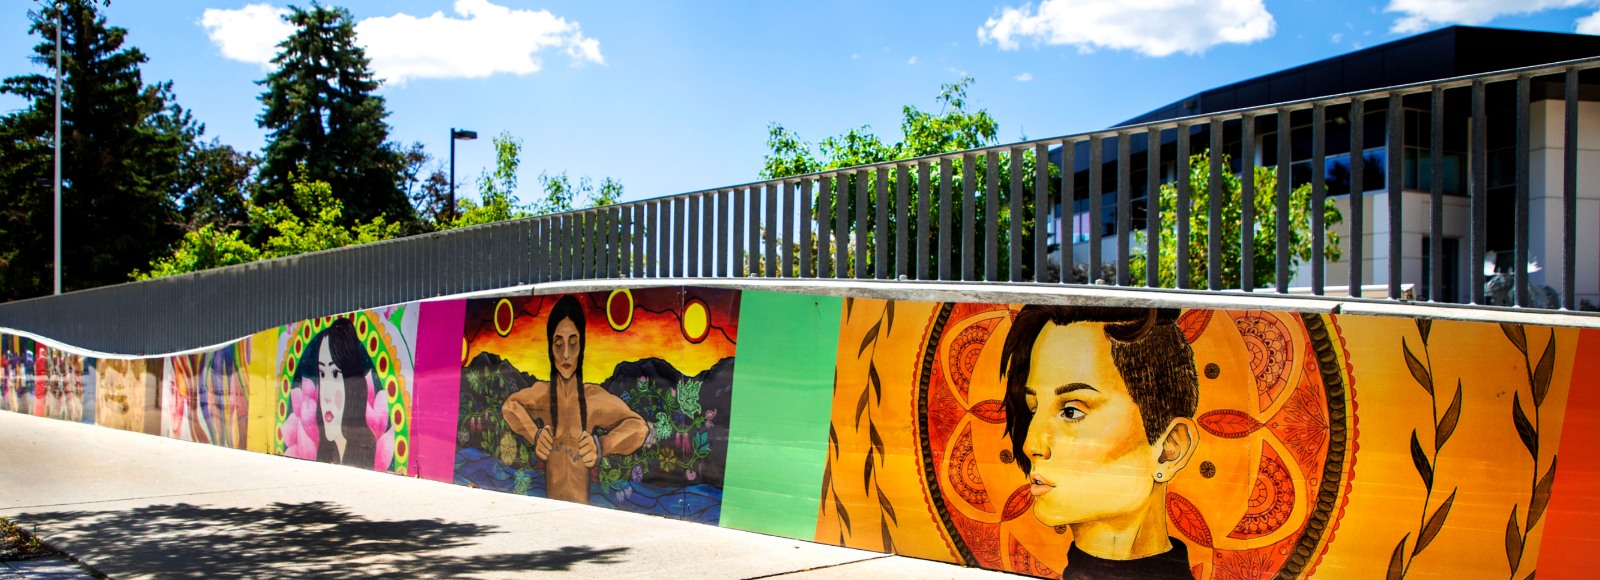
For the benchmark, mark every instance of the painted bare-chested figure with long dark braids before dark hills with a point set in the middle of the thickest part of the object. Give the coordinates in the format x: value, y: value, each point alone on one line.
x: 559, y: 416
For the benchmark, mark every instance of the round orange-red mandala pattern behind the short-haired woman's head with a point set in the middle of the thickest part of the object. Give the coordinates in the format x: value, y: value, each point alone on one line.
x: 1262, y: 499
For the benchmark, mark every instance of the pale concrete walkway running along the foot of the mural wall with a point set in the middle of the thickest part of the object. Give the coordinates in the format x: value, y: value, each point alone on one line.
x: 143, y: 507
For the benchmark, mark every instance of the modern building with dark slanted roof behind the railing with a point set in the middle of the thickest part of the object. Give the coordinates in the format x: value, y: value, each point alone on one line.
x: 1446, y: 54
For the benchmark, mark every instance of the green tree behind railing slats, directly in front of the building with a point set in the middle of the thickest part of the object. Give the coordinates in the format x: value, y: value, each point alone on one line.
x: 1263, y: 238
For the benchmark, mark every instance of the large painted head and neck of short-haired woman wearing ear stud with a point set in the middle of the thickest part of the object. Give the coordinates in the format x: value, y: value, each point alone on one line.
x: 1100, y: 409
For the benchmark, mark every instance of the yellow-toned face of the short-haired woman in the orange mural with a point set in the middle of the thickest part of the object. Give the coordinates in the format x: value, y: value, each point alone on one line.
x: 1092, y: 459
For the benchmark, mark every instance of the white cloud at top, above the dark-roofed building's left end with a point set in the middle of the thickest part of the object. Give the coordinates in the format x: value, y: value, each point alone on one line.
x: 1156, y: 28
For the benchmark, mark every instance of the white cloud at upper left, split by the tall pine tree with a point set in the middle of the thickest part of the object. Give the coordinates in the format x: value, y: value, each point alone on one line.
x: 484, y: 41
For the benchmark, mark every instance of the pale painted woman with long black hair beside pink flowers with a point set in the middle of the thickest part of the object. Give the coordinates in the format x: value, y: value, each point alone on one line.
x: 338, y: 417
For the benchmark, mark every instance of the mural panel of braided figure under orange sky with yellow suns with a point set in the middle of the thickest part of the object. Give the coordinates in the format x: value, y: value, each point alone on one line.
x: 618, y: 400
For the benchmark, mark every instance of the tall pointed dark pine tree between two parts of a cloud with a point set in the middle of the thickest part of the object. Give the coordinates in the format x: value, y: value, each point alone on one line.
x: 324, y: 116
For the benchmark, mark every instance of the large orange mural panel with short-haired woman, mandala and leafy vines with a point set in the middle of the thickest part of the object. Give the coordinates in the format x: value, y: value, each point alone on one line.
x: 1193, y: 445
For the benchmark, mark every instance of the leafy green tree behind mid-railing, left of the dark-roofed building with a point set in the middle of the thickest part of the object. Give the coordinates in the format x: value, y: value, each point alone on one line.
x: 954, y: 127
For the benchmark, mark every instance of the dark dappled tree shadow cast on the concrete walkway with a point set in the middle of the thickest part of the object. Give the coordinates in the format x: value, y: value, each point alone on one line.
x: 300, y: 541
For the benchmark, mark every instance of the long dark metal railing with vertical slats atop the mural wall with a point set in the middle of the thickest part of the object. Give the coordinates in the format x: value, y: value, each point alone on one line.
x: 870, y: 222
